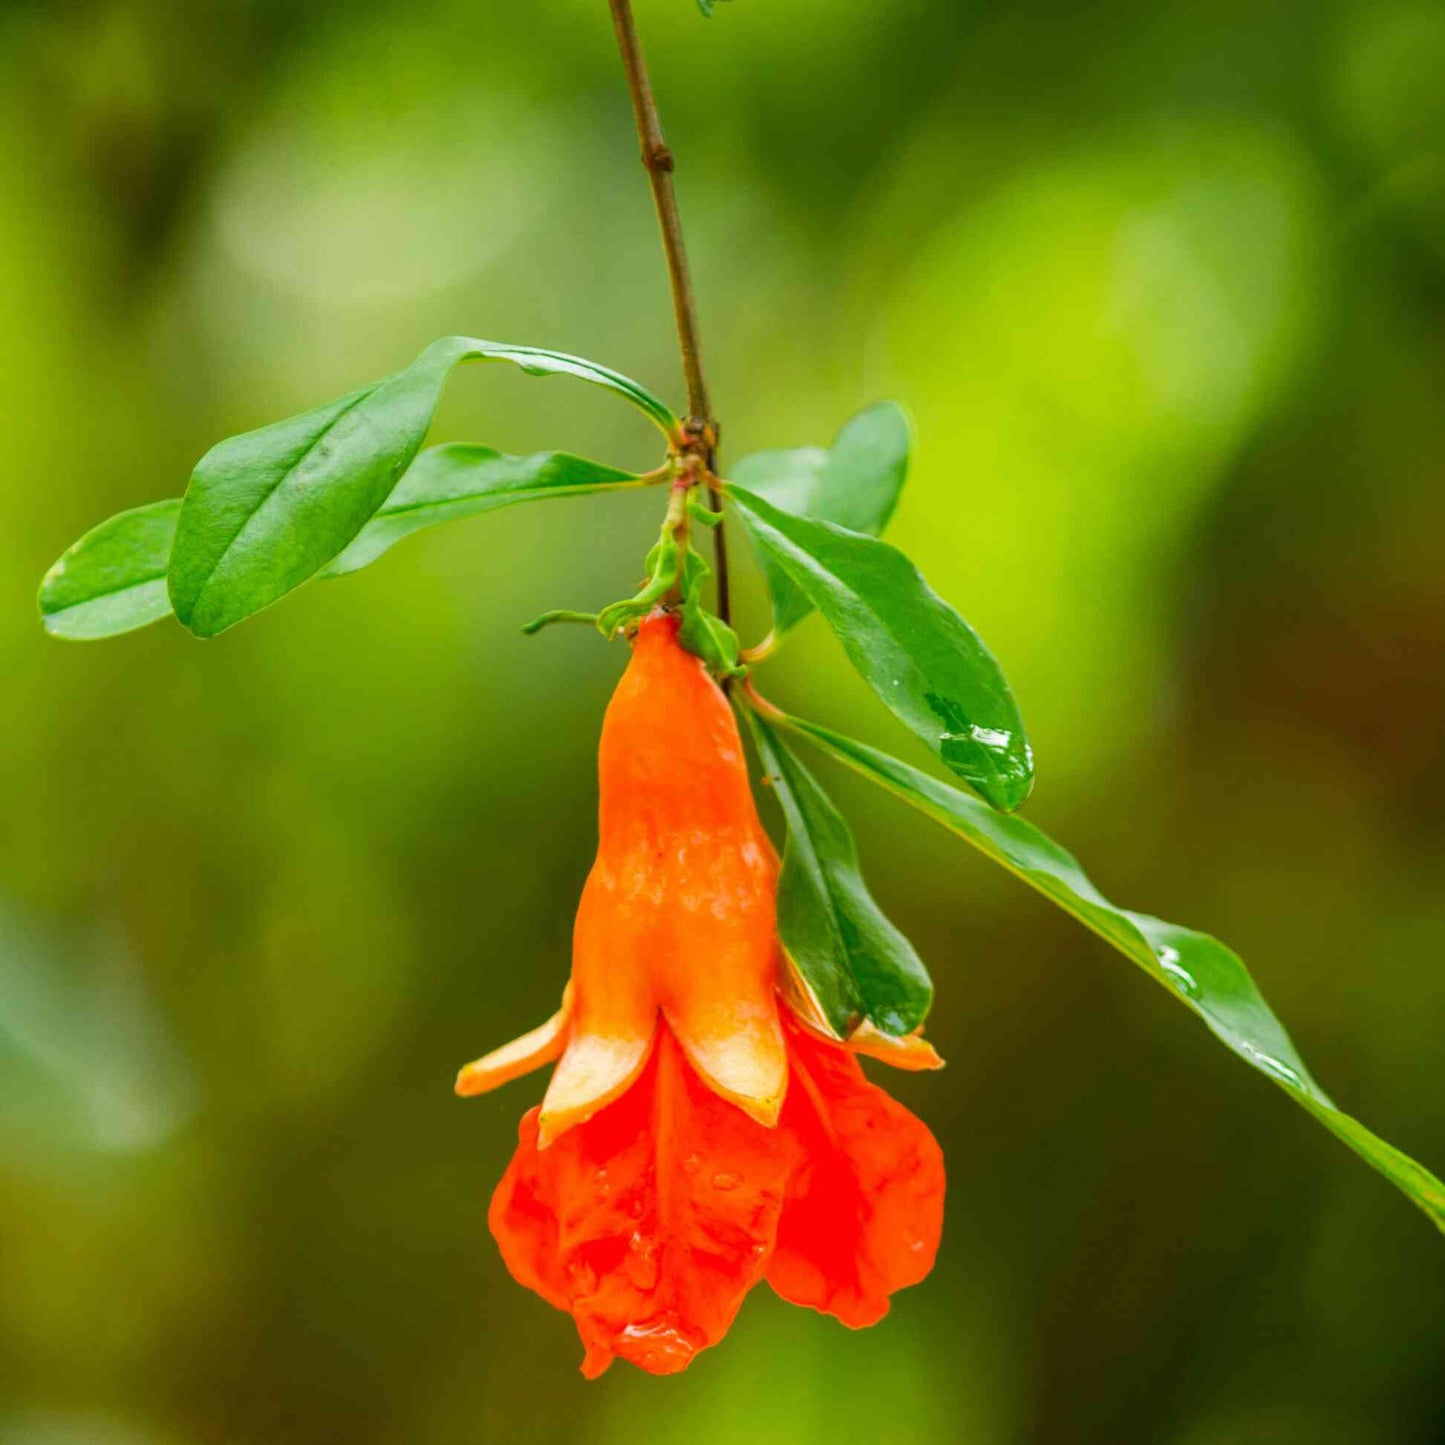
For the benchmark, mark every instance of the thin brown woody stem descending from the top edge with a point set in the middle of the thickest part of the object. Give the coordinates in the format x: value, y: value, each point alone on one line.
x: 660, y: 163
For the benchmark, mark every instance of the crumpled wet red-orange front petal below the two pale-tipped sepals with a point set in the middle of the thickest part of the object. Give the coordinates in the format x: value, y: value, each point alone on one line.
x: 651, y: 1222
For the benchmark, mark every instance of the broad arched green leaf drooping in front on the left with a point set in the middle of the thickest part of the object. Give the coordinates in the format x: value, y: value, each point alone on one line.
x: 269, y: 509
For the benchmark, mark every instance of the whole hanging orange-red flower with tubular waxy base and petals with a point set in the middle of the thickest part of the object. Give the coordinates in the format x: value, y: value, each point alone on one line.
x: 697, y: 1136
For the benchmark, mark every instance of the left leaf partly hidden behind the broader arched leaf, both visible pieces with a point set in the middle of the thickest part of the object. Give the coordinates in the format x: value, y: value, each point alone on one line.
x: 115, y: 579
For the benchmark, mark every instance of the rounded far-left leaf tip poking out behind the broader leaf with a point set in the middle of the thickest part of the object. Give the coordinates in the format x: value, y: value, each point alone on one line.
x: 115, y: 579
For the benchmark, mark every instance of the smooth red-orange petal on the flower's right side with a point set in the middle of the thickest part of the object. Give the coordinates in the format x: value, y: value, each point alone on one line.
x: 865, y: 1215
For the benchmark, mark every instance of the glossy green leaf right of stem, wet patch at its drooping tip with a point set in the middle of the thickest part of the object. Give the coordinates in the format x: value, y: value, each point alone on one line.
x: 921, y: 658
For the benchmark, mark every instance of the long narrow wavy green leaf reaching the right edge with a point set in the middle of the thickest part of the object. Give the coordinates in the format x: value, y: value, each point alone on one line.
x: 1199, y: 970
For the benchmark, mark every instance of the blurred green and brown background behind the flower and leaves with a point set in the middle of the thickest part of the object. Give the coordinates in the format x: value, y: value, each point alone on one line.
x: 1164, y: 287
